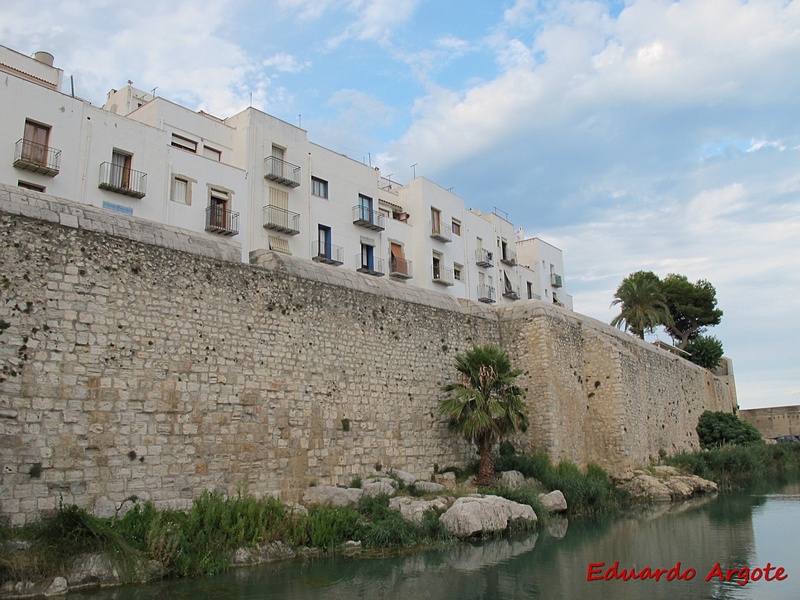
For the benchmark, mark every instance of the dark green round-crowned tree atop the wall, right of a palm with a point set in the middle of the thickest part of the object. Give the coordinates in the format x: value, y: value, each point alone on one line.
x: 692, y: 306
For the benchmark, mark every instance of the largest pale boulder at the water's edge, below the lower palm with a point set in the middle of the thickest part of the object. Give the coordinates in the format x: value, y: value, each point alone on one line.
x: 477, y: 514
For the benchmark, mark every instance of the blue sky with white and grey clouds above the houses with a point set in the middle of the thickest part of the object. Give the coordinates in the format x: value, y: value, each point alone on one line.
x: 639, y: 135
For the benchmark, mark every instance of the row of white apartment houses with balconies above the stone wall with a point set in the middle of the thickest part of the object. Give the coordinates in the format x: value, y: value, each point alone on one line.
x: 261, y: 182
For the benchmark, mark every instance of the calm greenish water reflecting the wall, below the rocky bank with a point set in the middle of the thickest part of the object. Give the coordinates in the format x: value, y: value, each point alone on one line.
x: 741, y: 530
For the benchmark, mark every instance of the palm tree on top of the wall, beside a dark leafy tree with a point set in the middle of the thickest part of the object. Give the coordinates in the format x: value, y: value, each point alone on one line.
x: 643, y: 304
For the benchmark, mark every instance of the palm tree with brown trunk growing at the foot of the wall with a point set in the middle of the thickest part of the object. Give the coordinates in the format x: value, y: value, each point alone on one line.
x: 485, y: 405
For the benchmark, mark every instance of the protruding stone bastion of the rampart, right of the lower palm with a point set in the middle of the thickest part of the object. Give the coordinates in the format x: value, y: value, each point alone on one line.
x: 599, y: 395
